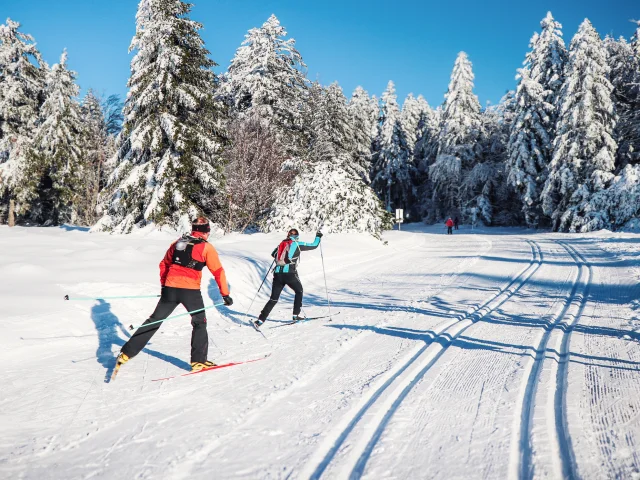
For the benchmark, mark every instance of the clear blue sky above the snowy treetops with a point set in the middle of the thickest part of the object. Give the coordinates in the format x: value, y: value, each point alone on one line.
x: 368, y: 42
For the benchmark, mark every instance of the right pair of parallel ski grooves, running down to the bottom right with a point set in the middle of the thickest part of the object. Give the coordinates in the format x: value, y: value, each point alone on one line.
x: 520, y: 464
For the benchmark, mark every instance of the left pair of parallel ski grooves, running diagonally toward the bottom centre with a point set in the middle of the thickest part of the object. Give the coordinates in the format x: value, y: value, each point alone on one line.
x: 447, y: 332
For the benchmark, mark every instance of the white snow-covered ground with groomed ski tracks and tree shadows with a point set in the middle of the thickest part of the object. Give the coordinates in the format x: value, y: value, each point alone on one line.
x: 487, y: 354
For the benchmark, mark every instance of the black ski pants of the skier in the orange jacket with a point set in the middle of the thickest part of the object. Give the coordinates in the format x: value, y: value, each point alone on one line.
x: 170, y: 298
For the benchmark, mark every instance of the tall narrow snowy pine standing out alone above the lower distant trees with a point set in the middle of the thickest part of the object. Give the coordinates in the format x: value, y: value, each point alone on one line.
x: 457, y: 139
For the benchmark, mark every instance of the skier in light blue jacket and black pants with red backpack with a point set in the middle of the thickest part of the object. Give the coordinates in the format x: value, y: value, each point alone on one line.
x: 287, y: 256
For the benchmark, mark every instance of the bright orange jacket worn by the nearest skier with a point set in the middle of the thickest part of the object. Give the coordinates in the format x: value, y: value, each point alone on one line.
x: 177, y: 276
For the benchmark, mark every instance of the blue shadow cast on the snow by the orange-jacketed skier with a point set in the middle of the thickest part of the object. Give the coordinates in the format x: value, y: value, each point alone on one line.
x: 107, y: 326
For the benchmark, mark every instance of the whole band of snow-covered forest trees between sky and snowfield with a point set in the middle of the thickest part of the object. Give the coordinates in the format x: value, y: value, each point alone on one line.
x: 262, y: 147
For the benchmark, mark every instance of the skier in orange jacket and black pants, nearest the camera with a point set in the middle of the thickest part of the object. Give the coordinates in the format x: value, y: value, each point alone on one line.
x: 180, y: 277
